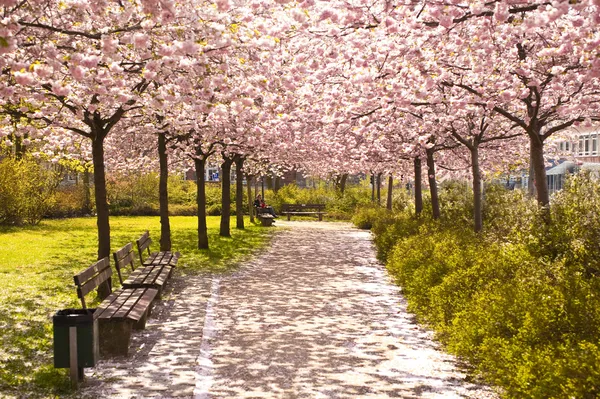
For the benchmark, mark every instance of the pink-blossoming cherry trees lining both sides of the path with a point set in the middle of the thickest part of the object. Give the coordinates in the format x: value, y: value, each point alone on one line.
x: 330, y: 87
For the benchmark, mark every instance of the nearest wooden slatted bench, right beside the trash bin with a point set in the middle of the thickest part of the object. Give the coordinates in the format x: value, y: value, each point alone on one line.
x: 122, y: 311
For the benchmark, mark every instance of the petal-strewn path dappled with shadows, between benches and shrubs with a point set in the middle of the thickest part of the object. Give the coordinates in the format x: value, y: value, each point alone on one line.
x: 315, y: 316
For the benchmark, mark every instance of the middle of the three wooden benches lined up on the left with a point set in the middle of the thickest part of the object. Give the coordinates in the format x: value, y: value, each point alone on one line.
x: 145, y: 276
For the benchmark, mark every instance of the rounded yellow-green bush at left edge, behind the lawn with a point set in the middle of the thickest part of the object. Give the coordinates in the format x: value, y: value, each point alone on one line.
x: 27, y: 190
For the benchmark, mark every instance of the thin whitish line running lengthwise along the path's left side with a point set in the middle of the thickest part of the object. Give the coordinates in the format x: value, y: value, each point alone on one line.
x: 204, y: 368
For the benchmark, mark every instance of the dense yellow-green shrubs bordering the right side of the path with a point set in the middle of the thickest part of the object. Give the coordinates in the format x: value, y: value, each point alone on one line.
x: 519, y: 302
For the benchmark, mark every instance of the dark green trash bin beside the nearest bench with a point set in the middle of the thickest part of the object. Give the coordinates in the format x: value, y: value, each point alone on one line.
x: 87, y: 337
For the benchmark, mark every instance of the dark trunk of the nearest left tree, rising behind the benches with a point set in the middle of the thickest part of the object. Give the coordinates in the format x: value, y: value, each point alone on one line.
x: 101, y: 206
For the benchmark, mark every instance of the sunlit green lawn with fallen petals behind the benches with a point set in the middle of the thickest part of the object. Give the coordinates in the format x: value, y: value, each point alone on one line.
x: 37, y: 265
